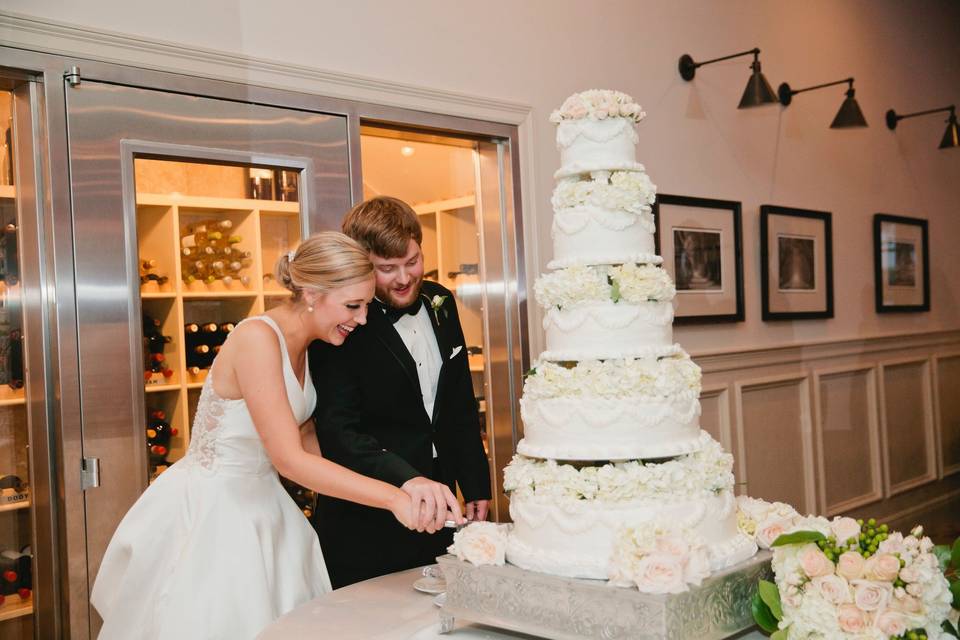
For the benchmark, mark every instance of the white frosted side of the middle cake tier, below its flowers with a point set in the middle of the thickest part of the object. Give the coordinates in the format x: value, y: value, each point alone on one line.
x: 603, y: 330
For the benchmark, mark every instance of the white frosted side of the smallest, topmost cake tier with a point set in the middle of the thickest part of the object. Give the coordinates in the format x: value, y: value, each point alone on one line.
x: 586, y: 145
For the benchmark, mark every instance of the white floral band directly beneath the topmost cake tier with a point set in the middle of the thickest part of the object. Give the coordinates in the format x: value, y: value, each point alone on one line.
x: 627, y: 191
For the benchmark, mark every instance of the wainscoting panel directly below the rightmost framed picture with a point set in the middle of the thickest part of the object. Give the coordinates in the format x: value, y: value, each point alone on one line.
x: 907, y: 419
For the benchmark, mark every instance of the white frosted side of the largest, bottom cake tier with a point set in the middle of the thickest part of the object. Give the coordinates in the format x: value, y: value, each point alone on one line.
x: 575, y: 537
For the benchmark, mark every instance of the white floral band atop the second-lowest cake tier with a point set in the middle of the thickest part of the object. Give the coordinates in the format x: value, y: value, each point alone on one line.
x: 670, y: 377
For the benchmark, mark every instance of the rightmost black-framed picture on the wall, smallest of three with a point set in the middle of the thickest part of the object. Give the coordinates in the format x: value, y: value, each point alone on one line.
x: 901, y: 263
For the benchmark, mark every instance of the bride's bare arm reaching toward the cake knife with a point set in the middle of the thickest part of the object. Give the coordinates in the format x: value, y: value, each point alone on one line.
x: 255, y: 361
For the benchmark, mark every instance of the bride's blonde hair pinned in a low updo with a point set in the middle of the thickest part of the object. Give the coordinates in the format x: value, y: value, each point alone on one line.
x: 325, y: 261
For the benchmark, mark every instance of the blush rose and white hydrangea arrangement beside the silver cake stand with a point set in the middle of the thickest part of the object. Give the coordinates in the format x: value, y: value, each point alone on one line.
x: 849, y: 578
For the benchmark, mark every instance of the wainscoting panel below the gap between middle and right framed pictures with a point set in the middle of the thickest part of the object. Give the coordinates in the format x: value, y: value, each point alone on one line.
x: 850, y: 473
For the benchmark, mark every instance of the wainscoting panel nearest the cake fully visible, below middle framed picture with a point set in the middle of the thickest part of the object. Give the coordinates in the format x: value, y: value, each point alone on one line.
x: 774, y: 436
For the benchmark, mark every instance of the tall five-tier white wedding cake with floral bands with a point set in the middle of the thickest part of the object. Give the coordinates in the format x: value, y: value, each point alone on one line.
x: 613, y: 465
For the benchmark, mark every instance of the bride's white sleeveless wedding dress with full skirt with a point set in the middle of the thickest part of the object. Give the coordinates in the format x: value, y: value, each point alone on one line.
x: 214, y: 548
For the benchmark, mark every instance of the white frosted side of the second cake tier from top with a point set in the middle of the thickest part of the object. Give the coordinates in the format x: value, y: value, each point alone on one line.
x: 590, y: 235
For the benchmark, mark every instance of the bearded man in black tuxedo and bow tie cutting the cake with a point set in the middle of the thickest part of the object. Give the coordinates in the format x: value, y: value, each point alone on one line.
x: 396, y: 402
